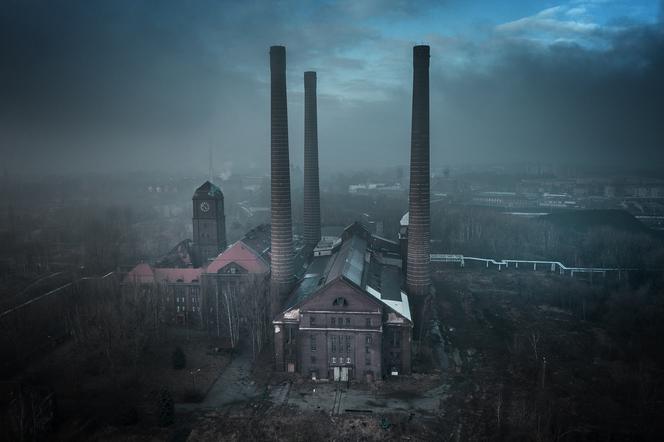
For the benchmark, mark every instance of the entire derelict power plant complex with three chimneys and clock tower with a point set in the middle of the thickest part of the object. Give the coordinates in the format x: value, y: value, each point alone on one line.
x: 339, y: 307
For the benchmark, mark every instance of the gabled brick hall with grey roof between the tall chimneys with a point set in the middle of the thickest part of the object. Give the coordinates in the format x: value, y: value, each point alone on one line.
x: 348, y: 318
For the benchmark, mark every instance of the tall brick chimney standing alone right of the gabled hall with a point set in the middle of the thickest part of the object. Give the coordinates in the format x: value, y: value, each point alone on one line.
x: 417, y: 266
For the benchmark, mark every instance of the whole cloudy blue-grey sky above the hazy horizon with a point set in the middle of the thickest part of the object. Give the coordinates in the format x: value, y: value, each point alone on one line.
x: 152, y: 84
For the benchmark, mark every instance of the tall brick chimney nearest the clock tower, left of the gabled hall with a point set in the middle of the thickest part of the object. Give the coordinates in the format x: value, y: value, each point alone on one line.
x: 282, y: 273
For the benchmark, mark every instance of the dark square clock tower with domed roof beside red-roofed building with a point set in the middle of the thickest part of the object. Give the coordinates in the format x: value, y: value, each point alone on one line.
x: 209, y: 222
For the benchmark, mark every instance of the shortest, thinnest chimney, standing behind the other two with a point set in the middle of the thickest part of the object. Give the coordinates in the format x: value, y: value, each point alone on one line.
x: 311, y: 189
